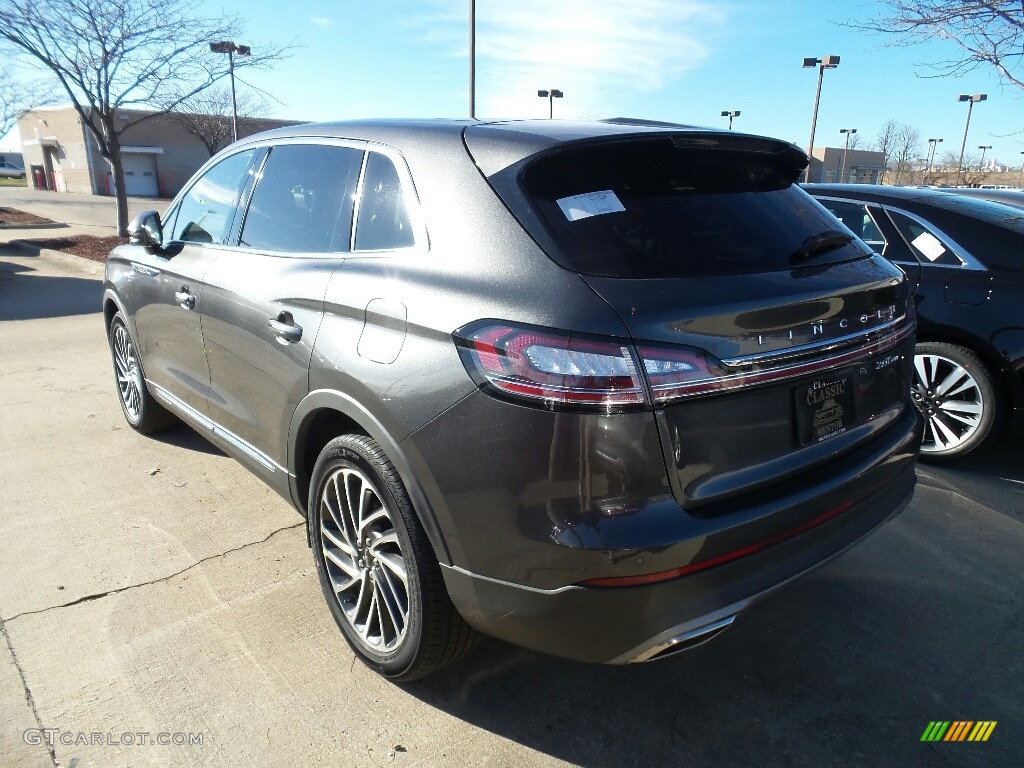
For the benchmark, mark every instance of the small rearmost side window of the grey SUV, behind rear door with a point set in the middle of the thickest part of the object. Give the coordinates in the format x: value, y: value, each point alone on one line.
x: 383, y: 222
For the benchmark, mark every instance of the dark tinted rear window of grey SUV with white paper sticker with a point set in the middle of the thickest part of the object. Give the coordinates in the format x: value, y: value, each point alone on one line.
x: 665, y: 208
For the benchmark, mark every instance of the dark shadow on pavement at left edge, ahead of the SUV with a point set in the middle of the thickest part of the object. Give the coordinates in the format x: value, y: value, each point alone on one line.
x: 25, y: 295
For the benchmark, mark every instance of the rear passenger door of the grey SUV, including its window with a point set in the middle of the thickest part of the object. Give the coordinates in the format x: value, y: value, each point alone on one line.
x: 264, y: 300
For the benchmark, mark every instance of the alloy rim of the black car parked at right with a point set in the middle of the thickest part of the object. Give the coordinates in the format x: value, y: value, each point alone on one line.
x: 951, y: 400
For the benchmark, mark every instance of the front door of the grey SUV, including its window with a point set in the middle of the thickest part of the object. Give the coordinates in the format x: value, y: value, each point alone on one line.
x: 168, y: 286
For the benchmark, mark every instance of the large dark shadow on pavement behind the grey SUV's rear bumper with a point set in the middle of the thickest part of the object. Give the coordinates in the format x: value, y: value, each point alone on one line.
x: 846, y: 667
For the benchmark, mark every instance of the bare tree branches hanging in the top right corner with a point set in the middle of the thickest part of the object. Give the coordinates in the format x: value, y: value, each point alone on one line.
x: 990, y: 33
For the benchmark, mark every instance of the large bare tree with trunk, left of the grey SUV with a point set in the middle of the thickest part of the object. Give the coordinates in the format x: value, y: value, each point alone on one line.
x: 110, y: 55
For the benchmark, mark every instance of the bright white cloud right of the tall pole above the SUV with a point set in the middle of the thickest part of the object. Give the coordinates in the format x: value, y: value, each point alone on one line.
x: 590, y: 50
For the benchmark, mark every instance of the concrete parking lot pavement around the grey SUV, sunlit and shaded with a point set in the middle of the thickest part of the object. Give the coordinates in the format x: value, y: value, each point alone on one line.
x: 153, y: 587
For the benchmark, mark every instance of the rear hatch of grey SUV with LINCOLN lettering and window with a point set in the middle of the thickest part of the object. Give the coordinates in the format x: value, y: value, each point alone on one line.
x: 773, y: 339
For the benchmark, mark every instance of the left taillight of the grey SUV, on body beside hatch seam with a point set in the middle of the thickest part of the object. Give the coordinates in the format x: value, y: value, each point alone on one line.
x: 559, y: 370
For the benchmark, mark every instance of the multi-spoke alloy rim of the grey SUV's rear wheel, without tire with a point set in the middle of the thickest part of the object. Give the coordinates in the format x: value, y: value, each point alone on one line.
x: 364, y: 560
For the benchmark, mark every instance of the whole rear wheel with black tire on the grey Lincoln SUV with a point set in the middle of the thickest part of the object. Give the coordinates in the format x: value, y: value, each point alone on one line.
x: 364, y: 562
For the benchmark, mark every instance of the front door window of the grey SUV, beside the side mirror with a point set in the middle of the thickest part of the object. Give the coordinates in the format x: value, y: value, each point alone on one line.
x: 205, y: 214
